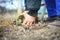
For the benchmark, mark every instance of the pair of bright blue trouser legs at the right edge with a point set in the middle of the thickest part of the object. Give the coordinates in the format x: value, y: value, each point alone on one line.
x: 53, y: 7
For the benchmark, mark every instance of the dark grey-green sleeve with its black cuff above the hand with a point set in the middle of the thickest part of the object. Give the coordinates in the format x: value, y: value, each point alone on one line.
x: 33, y: 6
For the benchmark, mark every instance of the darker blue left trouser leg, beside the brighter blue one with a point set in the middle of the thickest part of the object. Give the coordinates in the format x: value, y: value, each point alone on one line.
x: 51, y: 7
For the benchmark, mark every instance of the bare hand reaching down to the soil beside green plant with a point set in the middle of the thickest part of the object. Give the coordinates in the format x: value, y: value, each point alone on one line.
x: 29, y: 20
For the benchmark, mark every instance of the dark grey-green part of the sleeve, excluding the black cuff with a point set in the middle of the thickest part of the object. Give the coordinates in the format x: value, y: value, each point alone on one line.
x: 32, y: 4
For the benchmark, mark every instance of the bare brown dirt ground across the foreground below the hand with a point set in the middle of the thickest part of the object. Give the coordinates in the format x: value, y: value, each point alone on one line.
x: 38, y: 31
